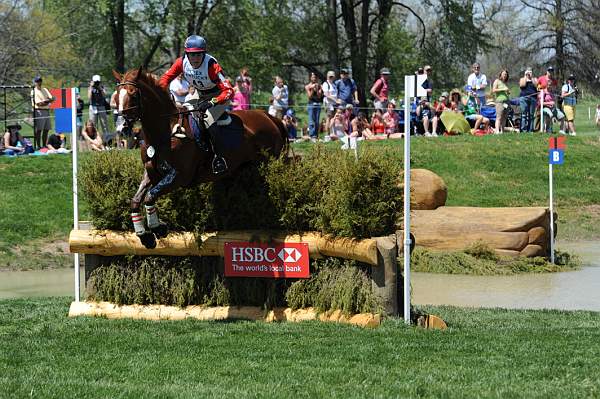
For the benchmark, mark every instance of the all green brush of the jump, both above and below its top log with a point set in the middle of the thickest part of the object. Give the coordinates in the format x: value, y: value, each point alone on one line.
x: 325, y: 190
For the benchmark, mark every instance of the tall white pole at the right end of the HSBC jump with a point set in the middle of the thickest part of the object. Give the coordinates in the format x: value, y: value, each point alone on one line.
x: 407, y: 88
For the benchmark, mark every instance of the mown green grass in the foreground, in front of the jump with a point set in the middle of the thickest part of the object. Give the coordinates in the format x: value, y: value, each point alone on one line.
x: 484, y: 353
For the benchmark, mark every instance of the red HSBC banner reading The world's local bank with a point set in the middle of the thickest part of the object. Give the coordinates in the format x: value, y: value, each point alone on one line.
x: 251, y: 259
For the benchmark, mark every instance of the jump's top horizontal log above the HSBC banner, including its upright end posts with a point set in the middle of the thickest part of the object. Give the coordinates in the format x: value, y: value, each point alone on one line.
x: 380, y: 253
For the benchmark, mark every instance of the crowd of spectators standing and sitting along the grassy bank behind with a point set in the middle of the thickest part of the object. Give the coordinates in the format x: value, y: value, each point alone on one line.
x: 334, y: 112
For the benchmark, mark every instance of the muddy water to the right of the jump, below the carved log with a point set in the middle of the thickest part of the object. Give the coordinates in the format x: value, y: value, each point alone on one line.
x: 575, y: 290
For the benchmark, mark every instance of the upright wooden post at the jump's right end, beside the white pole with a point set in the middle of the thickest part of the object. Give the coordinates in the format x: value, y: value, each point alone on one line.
x: 384, y: 275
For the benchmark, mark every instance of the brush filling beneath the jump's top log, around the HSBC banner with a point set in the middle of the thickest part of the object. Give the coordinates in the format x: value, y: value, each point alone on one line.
x: 182, y: 281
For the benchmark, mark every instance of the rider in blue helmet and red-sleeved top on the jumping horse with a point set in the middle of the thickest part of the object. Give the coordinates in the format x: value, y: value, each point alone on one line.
x: 202, y: 71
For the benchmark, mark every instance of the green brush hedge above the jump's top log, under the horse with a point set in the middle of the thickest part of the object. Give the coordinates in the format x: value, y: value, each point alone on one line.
x: 328, y: 191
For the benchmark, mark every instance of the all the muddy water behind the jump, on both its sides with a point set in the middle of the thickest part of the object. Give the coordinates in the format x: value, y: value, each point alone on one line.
x: 578, y: 289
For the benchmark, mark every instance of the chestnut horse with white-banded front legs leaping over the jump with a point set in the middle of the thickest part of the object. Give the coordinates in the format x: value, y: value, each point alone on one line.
x: 170, y: 155
